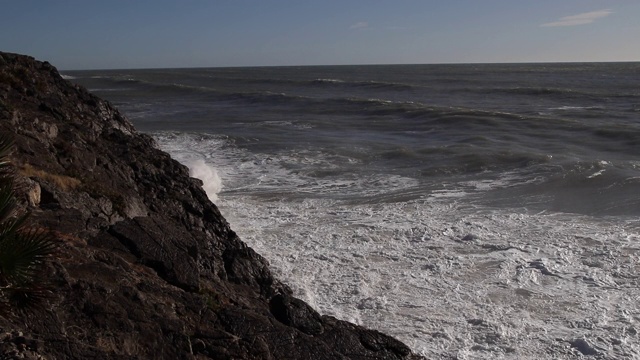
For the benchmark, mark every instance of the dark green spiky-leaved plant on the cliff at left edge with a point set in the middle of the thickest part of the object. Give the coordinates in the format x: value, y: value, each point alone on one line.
x: 23, y: 250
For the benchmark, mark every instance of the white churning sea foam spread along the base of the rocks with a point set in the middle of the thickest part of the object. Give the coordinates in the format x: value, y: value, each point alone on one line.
x: 445, y: 276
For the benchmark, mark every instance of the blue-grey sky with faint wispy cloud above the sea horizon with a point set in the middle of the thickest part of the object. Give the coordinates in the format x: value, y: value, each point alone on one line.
x: 118, y: 34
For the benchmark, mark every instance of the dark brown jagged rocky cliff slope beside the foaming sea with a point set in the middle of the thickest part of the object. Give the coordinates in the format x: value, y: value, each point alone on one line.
x: 147, y: 267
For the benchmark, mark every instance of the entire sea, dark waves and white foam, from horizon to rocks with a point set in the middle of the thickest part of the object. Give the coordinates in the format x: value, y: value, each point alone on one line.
x: 474, y: 211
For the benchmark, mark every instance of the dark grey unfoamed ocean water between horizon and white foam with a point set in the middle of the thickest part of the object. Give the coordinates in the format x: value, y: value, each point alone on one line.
x: 559, y: 137
